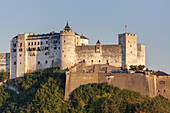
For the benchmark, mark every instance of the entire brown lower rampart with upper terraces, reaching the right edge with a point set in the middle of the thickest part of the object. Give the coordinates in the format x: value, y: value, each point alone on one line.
x: 146, y: 84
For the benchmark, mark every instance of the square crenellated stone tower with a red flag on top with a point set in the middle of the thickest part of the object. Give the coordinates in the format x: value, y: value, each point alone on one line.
x: 129, y: 49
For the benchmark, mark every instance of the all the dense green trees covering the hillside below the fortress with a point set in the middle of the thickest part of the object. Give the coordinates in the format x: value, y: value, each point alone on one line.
x: 43, y: 91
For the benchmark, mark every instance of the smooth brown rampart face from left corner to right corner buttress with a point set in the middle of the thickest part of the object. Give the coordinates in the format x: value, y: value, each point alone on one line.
x: 136, y: 82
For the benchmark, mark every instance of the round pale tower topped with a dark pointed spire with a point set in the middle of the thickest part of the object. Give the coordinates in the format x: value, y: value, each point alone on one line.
x: 67, y: 40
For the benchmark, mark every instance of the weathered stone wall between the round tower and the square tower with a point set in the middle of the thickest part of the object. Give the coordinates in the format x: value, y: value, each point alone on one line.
x: 111, y: 54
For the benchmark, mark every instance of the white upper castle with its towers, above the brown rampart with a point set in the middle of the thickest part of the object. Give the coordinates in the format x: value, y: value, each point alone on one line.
x: 30, y: 52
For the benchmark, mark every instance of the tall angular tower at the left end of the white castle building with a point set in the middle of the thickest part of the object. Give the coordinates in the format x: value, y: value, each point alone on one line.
x: 17, y: 57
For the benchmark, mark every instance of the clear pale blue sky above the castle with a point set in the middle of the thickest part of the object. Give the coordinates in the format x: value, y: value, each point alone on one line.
x: 97, y: 19
